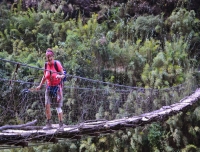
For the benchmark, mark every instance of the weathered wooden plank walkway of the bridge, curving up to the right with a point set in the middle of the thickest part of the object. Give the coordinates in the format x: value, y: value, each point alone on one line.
x: 25, y: 134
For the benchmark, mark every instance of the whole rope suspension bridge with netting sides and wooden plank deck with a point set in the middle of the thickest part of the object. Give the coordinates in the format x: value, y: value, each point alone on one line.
x: 91, y: 107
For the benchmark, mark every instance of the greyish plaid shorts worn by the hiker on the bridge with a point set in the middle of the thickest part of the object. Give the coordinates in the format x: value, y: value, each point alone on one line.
x: 55, y: 100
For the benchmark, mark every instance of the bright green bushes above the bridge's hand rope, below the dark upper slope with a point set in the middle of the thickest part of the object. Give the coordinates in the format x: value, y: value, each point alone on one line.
x: 148, y: 51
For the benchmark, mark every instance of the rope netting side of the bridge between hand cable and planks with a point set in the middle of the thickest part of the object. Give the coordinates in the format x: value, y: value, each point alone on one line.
x: 84, y: 99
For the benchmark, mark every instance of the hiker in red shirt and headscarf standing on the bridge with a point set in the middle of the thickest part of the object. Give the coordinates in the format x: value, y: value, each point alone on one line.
x: 53, y: 75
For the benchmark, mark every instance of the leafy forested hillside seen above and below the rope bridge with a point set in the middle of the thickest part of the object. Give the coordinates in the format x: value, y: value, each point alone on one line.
x: 149, y: 44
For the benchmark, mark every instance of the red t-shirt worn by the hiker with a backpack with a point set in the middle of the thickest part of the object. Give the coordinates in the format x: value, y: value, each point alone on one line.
x: 51, y: 76
